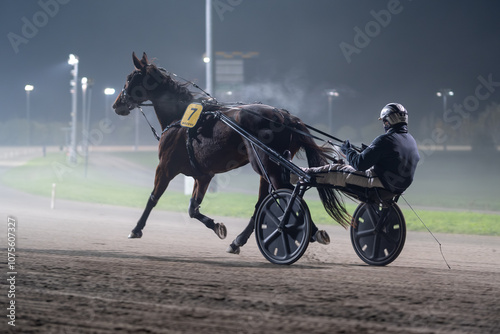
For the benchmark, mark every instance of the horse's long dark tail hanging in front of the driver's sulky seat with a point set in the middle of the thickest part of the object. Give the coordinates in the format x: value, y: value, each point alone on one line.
x: 319, y: 156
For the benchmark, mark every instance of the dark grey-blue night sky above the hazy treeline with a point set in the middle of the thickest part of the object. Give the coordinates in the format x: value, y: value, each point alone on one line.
x: 409, y: 50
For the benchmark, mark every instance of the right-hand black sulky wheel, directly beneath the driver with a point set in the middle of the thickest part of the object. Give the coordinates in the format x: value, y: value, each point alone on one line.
x: 378, y: 233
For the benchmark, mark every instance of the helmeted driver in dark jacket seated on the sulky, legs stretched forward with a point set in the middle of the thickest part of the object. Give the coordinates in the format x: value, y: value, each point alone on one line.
x: 389, y: 162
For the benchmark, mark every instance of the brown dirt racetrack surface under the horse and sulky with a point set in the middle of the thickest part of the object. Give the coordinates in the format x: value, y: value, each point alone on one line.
x: 78, y: 273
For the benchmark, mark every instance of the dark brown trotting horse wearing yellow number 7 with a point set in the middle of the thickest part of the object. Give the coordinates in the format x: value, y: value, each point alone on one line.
x: 213, y: 147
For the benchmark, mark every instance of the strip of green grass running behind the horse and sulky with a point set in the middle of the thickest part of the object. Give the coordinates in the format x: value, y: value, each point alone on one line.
x: 38, y: 175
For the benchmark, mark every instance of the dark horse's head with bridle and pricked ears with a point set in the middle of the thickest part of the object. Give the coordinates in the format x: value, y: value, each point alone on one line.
x: 145, y: 83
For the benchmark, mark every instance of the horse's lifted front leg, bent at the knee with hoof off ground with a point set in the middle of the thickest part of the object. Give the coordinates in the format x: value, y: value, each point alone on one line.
x: 199, y: 190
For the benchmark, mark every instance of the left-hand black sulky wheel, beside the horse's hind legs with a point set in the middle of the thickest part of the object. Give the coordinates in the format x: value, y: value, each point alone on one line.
x: 282, y: 243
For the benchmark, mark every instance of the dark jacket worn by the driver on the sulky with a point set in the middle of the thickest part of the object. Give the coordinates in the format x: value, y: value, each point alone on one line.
x: 393, y: 156
